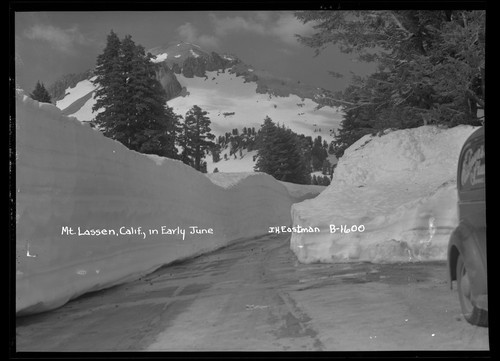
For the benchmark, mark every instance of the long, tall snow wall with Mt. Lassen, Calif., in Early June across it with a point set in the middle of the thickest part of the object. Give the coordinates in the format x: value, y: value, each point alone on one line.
x: 81, y: 198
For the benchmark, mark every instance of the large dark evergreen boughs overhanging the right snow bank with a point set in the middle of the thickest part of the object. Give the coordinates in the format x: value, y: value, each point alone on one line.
x: 431, y: 67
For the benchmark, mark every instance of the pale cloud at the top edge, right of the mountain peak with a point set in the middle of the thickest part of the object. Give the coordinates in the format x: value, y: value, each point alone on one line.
x: 281, y: 25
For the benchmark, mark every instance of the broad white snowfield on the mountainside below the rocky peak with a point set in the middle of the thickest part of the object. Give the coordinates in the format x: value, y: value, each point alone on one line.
x: 234, y: 103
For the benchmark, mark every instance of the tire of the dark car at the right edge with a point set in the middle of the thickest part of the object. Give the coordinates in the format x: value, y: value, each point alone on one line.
x: 472, y: 314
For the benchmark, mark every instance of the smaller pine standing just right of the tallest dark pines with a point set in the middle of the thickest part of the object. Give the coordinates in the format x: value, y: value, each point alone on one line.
x: 196, y: 137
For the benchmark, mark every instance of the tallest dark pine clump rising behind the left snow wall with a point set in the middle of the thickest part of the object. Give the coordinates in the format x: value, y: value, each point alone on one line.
x: 131, y: 101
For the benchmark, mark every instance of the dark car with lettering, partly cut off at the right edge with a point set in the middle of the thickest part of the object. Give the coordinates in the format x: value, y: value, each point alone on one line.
x: 467, y: 246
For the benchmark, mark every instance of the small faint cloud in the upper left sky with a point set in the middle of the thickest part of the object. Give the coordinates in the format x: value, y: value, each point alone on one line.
x: 60, y: 39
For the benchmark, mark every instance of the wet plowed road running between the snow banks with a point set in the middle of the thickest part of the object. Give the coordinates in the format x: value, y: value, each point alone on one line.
x: 253, y: 296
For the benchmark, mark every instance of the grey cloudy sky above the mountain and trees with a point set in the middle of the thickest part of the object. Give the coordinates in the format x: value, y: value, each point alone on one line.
x: 49, y: 45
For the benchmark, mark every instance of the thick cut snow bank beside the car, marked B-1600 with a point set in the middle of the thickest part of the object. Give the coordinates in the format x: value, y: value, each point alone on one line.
x: 397, y: 195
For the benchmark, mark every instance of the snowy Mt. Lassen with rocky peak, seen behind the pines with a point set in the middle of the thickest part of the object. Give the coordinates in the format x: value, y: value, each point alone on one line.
x: 233, y: 93
